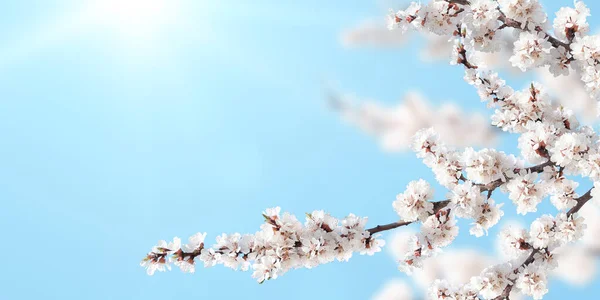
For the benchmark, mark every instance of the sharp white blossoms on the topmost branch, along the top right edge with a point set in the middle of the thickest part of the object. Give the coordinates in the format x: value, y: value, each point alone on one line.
x: 482, y: 21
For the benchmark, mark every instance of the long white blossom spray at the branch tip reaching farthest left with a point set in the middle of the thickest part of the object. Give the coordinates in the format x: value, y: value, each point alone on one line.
x: 283, y: 243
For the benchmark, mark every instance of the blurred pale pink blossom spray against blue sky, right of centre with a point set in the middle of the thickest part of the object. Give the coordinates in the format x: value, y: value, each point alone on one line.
x: 395, y: 126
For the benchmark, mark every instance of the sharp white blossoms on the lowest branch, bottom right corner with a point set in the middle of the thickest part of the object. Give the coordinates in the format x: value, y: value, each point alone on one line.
x: 546, y: 234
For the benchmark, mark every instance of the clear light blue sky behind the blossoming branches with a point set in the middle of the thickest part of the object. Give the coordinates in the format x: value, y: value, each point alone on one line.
x: 118, y: 130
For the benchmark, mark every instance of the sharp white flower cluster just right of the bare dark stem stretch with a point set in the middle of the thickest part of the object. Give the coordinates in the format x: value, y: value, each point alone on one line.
x: 465, y: 199
